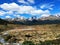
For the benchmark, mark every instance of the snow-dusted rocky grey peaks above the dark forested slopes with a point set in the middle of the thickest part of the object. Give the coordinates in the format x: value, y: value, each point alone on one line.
x: 51, y: 17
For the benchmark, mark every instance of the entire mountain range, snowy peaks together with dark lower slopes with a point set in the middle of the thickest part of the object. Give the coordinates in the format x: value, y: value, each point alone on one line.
x: 33, y: 20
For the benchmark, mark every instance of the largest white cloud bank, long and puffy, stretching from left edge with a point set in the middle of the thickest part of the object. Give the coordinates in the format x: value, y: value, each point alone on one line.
x: 16, y: 9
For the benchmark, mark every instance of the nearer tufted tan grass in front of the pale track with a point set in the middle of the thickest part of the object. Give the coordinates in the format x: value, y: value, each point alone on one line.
x: 36, y: 35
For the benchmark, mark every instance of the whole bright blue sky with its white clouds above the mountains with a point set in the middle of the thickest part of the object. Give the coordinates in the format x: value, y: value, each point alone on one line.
x: 28, y: 8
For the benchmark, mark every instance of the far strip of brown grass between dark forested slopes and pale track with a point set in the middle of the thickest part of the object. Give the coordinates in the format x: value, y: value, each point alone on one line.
x: 35, y: 27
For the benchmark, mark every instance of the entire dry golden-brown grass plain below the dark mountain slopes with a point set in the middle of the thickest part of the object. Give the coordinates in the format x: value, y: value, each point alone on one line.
x: 37, y: 32
